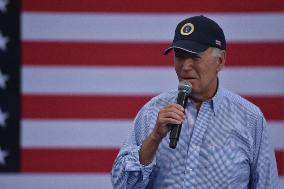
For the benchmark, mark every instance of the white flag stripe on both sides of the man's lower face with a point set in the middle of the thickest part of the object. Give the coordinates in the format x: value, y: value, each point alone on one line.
x: 141, y: 80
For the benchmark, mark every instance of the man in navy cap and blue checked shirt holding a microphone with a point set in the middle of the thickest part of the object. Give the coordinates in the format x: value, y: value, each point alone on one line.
x: 223, y: 141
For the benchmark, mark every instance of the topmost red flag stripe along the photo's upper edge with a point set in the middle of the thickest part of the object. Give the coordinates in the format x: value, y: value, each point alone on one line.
x: 167, y: 6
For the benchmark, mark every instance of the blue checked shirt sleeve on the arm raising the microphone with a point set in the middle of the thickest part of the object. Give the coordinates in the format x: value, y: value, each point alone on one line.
x: 127, y: 171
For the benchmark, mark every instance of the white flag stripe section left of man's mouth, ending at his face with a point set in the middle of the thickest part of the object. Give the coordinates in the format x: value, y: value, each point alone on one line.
x: 97, y: 80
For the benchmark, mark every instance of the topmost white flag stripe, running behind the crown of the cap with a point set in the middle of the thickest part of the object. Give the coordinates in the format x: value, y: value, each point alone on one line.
x: 144, y: 27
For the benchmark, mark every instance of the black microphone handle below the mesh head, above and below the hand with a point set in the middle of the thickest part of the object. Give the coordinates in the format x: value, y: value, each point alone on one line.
x: 176, y: 128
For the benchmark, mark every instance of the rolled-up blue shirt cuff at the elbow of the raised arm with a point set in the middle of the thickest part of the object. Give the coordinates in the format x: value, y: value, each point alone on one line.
x: 133, y: 164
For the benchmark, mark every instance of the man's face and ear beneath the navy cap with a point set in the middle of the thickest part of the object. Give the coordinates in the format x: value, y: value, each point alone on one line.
x: 200, y: 70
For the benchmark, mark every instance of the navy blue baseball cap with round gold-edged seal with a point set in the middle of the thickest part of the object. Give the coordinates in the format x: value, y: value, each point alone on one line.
x: 196, y: 34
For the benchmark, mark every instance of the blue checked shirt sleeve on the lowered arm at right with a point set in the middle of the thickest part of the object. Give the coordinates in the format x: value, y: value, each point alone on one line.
x: 264, y: 173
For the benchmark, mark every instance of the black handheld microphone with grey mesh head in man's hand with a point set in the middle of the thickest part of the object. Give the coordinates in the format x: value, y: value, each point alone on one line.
x: 184, y: 89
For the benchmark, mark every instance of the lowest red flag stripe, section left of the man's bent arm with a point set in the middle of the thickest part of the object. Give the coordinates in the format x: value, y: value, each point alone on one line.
x: 67, y: 160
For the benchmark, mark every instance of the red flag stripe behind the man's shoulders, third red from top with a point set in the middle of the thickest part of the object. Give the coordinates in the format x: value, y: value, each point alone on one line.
x: 115, y: 106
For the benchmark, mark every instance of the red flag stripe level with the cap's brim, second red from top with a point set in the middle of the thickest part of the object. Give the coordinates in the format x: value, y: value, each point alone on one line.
x: 140, y: 54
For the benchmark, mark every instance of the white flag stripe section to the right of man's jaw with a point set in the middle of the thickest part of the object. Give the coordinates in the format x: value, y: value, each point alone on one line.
x: 254, y: 80
